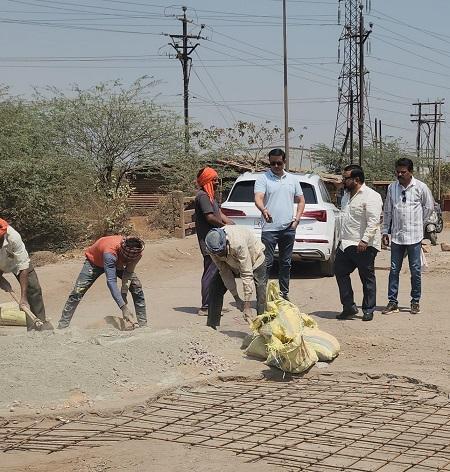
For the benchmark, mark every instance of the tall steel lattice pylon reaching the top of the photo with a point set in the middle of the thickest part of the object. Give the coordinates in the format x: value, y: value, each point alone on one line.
x: 352, y: 96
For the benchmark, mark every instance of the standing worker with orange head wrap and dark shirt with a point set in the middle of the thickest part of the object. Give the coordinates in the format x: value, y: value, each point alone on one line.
x: 207, y: 216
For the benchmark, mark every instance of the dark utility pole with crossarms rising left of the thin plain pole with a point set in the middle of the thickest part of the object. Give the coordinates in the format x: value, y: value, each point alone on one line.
x: 183, y: 54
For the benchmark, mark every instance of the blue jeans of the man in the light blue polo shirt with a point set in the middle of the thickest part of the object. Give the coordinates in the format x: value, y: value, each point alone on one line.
x: 285, y: 240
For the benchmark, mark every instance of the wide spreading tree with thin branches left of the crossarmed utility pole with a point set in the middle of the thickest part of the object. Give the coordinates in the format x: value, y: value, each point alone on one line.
x: 117, y: 129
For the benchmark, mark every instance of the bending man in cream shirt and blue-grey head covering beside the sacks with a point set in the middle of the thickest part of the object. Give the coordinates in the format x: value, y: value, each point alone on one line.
x: 236, y: 251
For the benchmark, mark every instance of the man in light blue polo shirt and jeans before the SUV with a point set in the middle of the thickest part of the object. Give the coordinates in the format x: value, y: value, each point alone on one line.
x: 276, y: 191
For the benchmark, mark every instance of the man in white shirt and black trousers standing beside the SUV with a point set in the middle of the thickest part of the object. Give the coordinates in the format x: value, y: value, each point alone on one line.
x: 360, y: 241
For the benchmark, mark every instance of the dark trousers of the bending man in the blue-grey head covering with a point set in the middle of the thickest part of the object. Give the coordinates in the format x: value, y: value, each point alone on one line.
x: 217, y: 290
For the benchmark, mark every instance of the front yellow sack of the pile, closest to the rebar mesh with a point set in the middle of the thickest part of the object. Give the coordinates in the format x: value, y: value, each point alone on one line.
x: 294, y: 357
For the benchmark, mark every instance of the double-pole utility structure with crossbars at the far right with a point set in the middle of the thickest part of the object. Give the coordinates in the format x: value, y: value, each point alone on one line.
x: 429, y: 117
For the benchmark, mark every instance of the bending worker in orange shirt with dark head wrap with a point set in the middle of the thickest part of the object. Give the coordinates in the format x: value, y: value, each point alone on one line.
x: 116, y: 256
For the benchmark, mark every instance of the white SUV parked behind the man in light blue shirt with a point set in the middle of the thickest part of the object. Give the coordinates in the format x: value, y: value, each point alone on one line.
x: 317, y: 234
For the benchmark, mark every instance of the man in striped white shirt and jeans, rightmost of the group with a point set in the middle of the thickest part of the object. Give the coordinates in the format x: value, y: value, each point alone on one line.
x: 409, y: 203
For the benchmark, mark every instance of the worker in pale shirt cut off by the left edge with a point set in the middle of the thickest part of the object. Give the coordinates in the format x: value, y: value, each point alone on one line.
x: 14, y: 258
